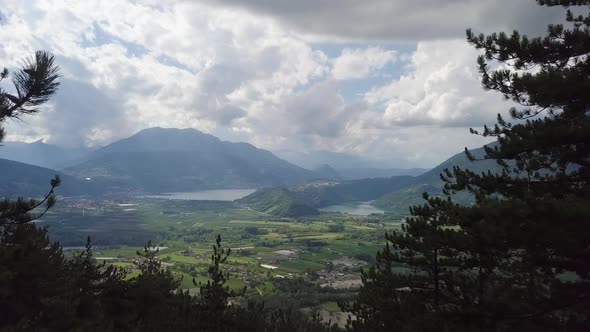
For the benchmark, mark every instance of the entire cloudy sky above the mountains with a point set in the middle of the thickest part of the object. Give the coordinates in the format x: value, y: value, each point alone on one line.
x: 389, y: 80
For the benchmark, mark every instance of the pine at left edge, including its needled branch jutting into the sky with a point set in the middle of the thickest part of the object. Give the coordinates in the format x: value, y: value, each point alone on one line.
x: 31, y: 277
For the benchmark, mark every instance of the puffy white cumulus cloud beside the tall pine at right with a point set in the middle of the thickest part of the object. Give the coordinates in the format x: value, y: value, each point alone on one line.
x: 441, y: 87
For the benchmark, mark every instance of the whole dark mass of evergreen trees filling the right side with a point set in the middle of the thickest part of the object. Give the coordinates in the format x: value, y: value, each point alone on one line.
x: 519, y: 258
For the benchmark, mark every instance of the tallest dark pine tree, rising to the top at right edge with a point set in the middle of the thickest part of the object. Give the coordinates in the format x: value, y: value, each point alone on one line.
x: 541, y: 197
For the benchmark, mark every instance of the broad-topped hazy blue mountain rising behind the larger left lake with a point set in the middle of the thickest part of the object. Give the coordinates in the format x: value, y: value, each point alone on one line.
x: 163, y: 160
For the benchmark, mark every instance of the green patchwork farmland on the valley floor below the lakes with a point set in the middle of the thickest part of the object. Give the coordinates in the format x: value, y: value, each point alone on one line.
x: 320, y: 255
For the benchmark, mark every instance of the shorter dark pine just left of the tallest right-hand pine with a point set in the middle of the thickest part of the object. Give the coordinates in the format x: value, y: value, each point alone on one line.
x: 409, y: 289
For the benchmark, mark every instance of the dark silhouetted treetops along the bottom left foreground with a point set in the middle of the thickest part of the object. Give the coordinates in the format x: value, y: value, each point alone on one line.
x: 43, y: 290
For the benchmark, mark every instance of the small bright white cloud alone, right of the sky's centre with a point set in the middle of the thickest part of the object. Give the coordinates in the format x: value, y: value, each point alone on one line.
x: 361, y: 63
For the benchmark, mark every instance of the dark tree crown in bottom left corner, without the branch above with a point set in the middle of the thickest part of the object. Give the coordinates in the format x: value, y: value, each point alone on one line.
x: 32, y: 278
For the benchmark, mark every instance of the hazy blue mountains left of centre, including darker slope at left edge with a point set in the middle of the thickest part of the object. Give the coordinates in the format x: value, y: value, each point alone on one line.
x: 154, y: 160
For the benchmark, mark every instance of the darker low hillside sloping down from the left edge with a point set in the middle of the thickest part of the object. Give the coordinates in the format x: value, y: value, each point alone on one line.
x: 23, y: 180
